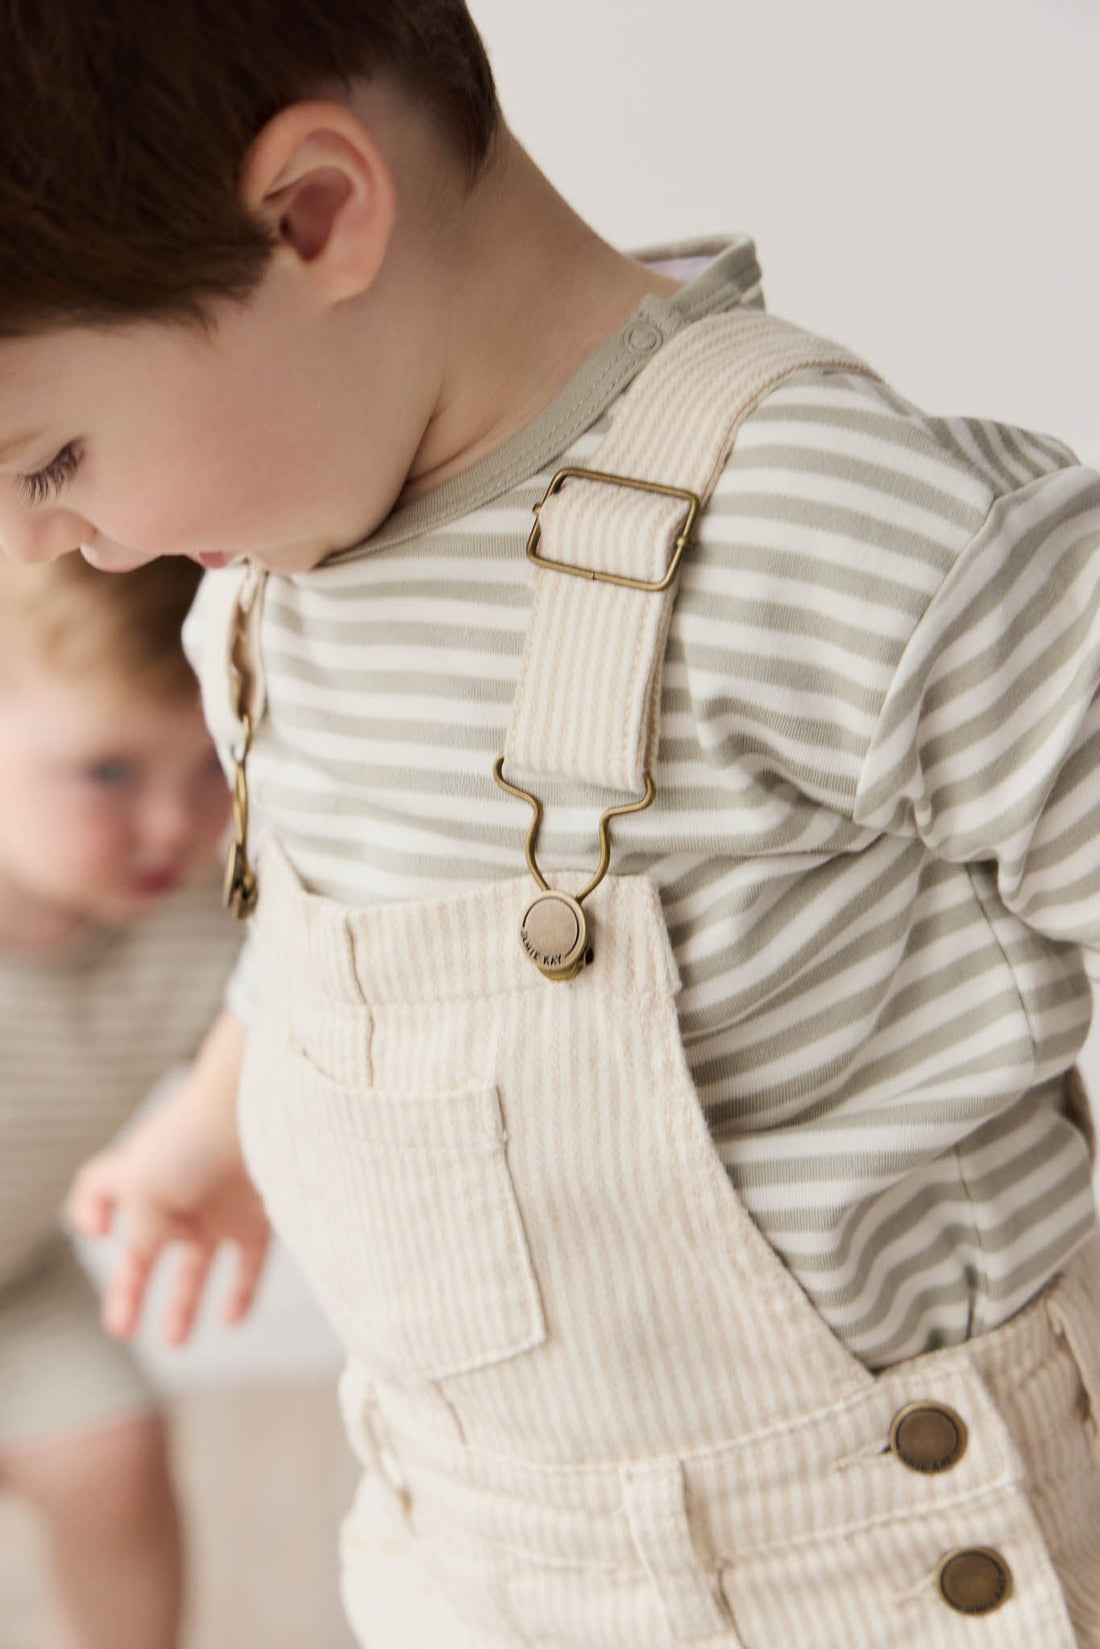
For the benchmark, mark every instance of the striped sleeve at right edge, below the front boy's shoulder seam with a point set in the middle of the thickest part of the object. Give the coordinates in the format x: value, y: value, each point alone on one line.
x: 989, y: 740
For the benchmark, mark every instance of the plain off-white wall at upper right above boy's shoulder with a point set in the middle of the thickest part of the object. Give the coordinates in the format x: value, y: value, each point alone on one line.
x: 921, y: 179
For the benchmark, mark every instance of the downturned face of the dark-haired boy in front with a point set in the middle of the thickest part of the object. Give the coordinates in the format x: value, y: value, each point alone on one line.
x: 164, y: 439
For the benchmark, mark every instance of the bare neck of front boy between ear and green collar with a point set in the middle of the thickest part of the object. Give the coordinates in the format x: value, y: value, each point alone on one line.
x: 535, y: 294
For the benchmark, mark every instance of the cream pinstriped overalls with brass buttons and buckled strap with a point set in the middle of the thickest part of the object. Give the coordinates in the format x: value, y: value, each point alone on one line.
x: 593, y: 1406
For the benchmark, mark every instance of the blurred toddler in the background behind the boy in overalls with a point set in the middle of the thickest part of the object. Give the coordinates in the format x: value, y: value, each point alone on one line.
x: 113, y: 956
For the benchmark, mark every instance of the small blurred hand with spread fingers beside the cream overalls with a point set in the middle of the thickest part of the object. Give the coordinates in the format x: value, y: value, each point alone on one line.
x: 179, y: 1180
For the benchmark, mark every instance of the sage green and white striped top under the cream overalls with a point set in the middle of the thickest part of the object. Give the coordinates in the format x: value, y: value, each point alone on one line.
x: 878, y: 822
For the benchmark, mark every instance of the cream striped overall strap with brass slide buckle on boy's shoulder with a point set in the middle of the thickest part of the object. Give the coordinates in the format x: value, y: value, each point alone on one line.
x: 609, y: 538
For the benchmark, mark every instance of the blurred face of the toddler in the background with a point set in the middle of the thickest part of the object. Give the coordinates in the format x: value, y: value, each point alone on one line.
x: 110, y: 801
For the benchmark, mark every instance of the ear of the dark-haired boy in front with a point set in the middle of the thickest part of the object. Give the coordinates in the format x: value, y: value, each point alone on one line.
x: 319, y: 182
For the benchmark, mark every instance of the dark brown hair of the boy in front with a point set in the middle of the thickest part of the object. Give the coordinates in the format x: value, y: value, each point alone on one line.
x: 125, y: 126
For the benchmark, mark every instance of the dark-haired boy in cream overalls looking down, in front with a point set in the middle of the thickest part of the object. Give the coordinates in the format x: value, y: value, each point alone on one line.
x: 713, y: 1241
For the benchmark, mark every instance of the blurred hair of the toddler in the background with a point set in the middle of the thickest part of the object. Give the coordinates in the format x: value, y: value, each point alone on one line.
x: 77, y: 622
